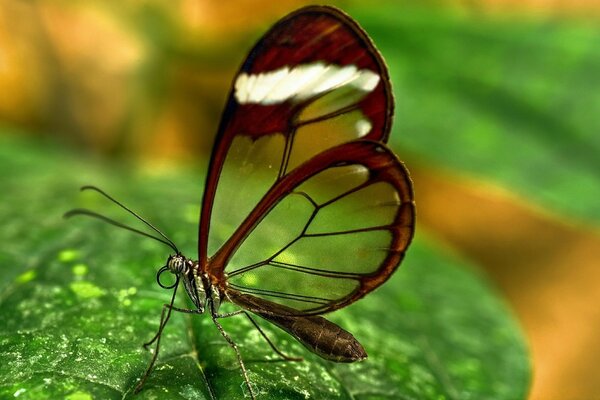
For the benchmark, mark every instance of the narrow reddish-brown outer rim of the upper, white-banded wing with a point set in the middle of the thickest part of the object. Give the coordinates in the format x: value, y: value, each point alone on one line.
x: 221, y: 144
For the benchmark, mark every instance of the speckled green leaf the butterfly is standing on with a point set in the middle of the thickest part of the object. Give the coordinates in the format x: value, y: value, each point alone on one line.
x: 79, y: 298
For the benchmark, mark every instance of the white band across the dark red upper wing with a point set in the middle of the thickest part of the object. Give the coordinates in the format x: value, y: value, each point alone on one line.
x: 300, y: 83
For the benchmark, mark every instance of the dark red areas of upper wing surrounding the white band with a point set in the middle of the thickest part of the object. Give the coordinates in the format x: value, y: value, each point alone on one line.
x: 311, y: 34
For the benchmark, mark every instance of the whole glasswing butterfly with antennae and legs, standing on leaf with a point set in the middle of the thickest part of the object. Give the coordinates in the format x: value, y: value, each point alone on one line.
x: 305, y: 209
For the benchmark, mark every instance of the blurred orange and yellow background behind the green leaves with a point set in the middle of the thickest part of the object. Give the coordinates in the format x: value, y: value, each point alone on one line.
x: 148, y: 79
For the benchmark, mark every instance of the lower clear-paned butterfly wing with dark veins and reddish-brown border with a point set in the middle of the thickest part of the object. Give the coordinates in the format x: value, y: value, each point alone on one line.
x: 326, y: 234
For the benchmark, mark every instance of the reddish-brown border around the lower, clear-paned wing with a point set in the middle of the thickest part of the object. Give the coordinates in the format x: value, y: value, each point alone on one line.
x: 384, y: 166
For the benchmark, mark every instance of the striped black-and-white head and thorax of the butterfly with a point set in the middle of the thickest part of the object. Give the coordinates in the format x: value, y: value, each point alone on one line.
x: 197, y: 284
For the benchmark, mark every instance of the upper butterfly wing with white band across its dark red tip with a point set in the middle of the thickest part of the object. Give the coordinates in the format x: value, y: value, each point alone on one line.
x: 312, y: 82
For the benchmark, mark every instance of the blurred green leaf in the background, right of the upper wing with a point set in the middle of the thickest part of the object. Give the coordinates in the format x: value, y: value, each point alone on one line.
x: 509, y: 100
